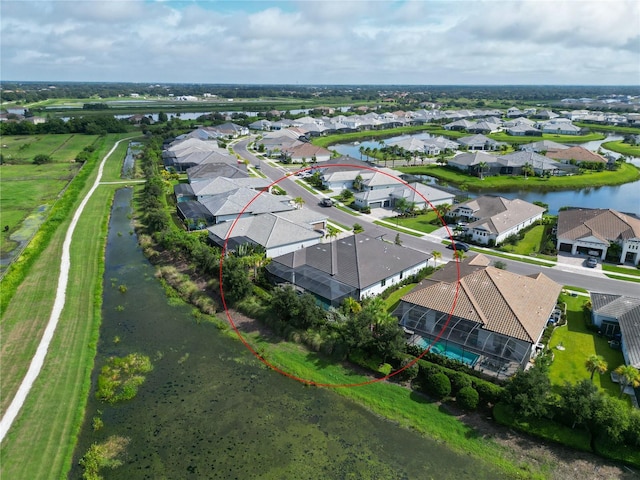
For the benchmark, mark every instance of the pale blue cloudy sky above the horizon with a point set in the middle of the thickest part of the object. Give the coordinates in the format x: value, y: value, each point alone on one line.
x: 322, y: 42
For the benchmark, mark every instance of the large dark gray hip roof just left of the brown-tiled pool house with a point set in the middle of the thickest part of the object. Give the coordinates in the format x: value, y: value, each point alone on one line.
x: 358, y: 260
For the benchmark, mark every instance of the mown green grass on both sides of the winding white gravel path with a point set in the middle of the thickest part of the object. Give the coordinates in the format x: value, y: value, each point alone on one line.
x: 41, y: 441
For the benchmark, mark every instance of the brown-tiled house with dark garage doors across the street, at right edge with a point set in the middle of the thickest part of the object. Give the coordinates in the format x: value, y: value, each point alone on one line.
x: 593, y: 231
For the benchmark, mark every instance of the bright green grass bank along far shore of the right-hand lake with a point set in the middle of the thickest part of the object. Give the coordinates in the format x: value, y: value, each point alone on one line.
x: 627, y: 173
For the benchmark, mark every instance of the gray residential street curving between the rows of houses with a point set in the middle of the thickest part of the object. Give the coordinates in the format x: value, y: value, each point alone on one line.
x: 563, y: 274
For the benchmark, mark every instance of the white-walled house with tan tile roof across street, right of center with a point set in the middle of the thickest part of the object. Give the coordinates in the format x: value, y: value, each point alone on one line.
x: 491, y: 219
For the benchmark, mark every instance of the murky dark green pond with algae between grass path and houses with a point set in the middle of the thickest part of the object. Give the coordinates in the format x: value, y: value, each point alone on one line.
x: 210, y: 410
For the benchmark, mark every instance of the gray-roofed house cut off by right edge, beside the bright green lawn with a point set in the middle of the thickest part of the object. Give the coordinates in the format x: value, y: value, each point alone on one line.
x: 614, y: 314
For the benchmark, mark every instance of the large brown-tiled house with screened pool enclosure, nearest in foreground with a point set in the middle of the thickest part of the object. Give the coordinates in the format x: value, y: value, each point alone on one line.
x: 489, y: 318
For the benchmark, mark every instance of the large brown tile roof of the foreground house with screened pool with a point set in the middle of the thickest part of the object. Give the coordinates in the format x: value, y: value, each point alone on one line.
x: 503, y: 302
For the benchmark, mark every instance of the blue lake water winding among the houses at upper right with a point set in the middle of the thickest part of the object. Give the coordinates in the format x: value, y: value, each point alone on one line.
x: 624, y: 198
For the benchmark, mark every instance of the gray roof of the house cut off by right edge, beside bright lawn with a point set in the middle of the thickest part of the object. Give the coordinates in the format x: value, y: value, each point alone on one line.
x: 627, y: 311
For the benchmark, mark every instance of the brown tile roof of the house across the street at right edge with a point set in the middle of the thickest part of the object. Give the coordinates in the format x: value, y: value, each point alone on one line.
x: 604, y: 224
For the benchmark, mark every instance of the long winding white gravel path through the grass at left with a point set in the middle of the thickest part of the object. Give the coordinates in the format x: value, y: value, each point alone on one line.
x: 65, y: 264
